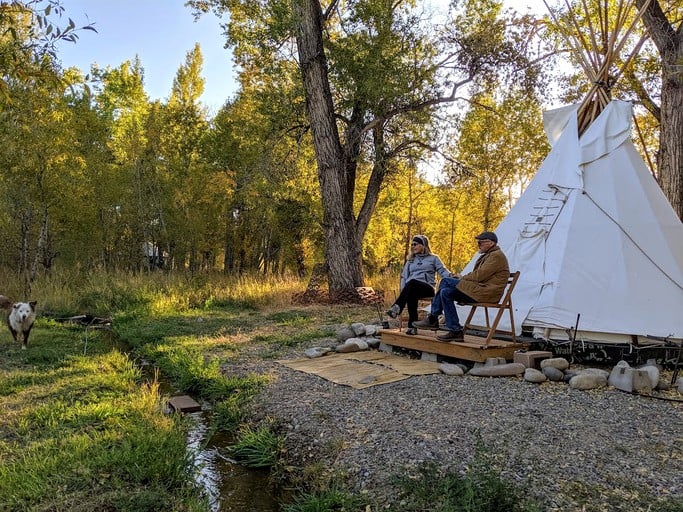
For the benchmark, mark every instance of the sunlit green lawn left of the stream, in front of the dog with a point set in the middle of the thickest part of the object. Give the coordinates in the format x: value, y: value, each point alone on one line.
x: 79, y: 432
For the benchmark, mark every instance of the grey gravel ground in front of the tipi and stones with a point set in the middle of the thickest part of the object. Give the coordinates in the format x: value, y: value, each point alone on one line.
x: 601, y: 450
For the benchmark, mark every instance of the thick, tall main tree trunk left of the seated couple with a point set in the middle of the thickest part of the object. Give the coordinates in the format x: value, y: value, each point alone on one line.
x: 342, y: 246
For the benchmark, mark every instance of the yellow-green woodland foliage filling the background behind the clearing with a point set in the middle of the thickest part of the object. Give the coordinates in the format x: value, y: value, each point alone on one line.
x: 91, y: 176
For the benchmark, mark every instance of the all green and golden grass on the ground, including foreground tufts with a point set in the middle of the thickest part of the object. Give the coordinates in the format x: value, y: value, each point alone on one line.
x: 80, y: 430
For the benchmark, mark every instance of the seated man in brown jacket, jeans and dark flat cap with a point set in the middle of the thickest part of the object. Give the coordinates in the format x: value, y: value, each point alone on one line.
x: 486, y: 283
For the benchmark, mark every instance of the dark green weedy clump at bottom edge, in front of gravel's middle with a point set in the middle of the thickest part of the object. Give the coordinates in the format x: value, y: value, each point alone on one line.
x: 479, y: 489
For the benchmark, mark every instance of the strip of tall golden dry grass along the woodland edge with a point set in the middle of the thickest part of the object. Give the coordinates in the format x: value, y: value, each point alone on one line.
x: 71, y: 292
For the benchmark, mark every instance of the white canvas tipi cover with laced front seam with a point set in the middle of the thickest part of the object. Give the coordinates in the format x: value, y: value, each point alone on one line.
x: 593, y: 235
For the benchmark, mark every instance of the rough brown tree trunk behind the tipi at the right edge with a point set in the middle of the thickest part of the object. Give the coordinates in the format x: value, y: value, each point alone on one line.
x: 669, y: 42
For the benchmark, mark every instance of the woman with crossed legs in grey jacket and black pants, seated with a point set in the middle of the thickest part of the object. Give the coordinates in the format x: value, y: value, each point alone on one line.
x: 418, y: 279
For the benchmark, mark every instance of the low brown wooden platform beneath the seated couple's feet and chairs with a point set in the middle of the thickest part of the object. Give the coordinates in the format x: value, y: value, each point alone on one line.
x: 472, y: 349
